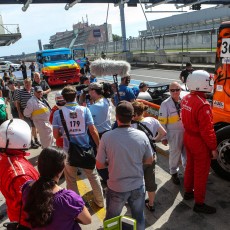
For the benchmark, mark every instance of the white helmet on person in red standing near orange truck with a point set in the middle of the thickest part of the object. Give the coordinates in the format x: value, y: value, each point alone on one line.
x: 200, y: 80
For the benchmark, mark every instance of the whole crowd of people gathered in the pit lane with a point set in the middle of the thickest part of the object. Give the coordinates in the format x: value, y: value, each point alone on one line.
x: 125, y: 155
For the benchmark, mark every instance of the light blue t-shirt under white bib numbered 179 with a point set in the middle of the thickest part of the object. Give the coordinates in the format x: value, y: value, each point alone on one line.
x: 77, y: 118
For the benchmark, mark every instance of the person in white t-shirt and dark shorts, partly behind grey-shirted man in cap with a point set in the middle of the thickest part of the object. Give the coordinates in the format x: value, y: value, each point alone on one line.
x: 158, y: 132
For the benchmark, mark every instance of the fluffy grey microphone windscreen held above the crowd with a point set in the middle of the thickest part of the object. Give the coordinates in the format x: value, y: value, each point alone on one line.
x: 103, y: 67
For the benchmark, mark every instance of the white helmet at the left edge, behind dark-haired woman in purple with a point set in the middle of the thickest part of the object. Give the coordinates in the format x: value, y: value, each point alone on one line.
x: 15, y: 134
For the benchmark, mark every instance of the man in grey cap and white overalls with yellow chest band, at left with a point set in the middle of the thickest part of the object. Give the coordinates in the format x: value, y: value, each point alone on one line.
x: 38, y: 110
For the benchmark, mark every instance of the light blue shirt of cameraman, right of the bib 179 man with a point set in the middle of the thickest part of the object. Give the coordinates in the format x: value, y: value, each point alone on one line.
x: 101, y: 112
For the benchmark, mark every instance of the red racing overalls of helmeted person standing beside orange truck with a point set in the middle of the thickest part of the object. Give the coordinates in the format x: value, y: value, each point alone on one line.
x: 199, y: 141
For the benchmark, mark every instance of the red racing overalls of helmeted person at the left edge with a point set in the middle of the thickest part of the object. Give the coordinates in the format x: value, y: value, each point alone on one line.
x: 15, y: 170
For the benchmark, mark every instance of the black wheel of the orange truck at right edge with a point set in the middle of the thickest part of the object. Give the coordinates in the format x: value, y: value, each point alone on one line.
x: 221, y: 166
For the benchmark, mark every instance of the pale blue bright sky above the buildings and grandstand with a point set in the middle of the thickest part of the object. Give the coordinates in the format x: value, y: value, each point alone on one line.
x: 41, y: 21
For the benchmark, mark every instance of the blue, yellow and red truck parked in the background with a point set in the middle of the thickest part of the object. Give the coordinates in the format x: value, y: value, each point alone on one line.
x: 58, y: 67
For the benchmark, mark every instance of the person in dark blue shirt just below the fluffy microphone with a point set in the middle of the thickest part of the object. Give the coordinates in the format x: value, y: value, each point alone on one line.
x: 125, y: 93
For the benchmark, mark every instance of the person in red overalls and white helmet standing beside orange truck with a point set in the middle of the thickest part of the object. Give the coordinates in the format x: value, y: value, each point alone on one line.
x: 199, y: 138
